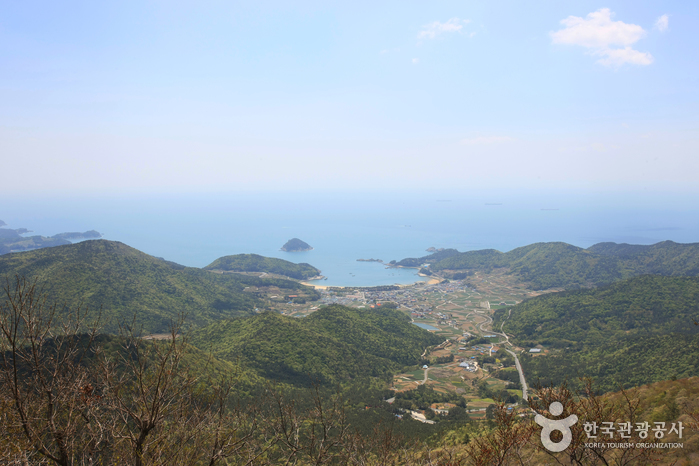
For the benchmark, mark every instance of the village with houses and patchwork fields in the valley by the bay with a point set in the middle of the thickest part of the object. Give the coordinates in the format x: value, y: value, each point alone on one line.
x: 460, y: 310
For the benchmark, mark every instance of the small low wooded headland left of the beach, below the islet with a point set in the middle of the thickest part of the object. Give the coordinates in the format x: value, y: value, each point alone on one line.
x: 256, y: 263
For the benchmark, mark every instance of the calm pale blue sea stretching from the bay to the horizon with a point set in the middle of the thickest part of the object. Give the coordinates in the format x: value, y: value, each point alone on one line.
x: 195, y: 229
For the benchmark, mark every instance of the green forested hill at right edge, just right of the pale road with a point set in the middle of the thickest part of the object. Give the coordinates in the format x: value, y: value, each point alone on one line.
x: 632, y: 332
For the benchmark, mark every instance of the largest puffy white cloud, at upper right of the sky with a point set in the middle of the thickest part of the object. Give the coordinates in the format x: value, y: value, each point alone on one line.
x: 610, y: 40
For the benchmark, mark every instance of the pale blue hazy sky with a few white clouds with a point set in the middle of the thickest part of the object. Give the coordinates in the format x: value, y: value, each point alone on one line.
x: 220, y: 96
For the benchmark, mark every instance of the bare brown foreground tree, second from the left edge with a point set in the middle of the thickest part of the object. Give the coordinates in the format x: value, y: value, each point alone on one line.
x: 169, y: 414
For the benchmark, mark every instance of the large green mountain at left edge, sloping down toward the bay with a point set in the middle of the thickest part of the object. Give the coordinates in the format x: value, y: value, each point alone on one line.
x: 126, y: 282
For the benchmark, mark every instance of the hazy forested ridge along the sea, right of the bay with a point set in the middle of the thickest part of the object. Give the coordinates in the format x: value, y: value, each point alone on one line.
x: 548, y: 265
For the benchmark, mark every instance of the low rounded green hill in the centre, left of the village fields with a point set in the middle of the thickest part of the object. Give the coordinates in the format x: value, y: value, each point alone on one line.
x: 333, y: 344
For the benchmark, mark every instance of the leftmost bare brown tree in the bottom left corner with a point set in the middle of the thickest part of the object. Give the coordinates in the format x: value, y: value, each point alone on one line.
x: 50, y: 406
